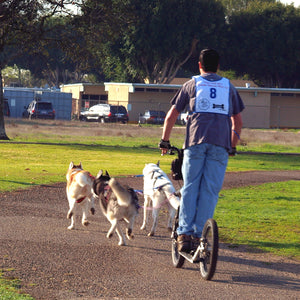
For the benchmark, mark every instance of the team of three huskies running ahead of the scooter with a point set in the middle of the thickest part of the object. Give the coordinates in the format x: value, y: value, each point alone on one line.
x: 117, y: 202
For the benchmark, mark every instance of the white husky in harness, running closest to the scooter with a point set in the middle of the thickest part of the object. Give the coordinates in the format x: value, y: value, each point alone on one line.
x: 158, y: 189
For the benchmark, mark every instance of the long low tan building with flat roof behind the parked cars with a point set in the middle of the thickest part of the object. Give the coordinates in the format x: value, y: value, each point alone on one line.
x: 265, y: 107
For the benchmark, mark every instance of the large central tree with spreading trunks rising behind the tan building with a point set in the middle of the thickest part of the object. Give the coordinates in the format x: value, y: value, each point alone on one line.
x: 150, y: 40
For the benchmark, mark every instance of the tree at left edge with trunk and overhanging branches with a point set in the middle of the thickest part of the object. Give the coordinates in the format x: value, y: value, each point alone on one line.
x: 22, y: 29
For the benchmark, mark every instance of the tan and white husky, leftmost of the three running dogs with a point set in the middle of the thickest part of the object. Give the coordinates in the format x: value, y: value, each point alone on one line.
x: 79, y: 193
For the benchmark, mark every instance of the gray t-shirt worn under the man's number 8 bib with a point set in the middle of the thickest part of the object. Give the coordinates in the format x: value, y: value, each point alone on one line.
x: 202, y: 127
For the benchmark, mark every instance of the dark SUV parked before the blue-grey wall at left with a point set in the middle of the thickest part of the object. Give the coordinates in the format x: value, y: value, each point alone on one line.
x: 39, y: 110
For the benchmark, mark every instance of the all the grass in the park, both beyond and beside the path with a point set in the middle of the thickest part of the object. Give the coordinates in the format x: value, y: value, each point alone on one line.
x: 39, y: 152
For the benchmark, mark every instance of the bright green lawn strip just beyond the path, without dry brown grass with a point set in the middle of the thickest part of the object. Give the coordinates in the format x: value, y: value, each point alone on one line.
x: 23, y: 165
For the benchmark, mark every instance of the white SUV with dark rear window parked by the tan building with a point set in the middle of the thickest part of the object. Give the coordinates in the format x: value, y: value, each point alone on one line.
x: 105, y: 113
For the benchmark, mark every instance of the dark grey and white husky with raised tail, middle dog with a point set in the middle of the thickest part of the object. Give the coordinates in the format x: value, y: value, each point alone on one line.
x: 117, y: 203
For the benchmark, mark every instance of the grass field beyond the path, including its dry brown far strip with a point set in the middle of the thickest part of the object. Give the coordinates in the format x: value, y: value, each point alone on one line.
x: 120, y: 149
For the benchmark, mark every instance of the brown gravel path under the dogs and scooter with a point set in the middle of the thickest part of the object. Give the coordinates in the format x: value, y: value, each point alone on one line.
x: 55, y: 263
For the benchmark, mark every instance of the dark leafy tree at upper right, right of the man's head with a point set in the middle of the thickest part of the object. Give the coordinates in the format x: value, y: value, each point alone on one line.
x: 264, y: 41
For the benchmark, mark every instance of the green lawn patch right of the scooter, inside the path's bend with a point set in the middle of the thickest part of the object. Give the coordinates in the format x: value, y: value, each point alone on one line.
x: 265, y: 217
